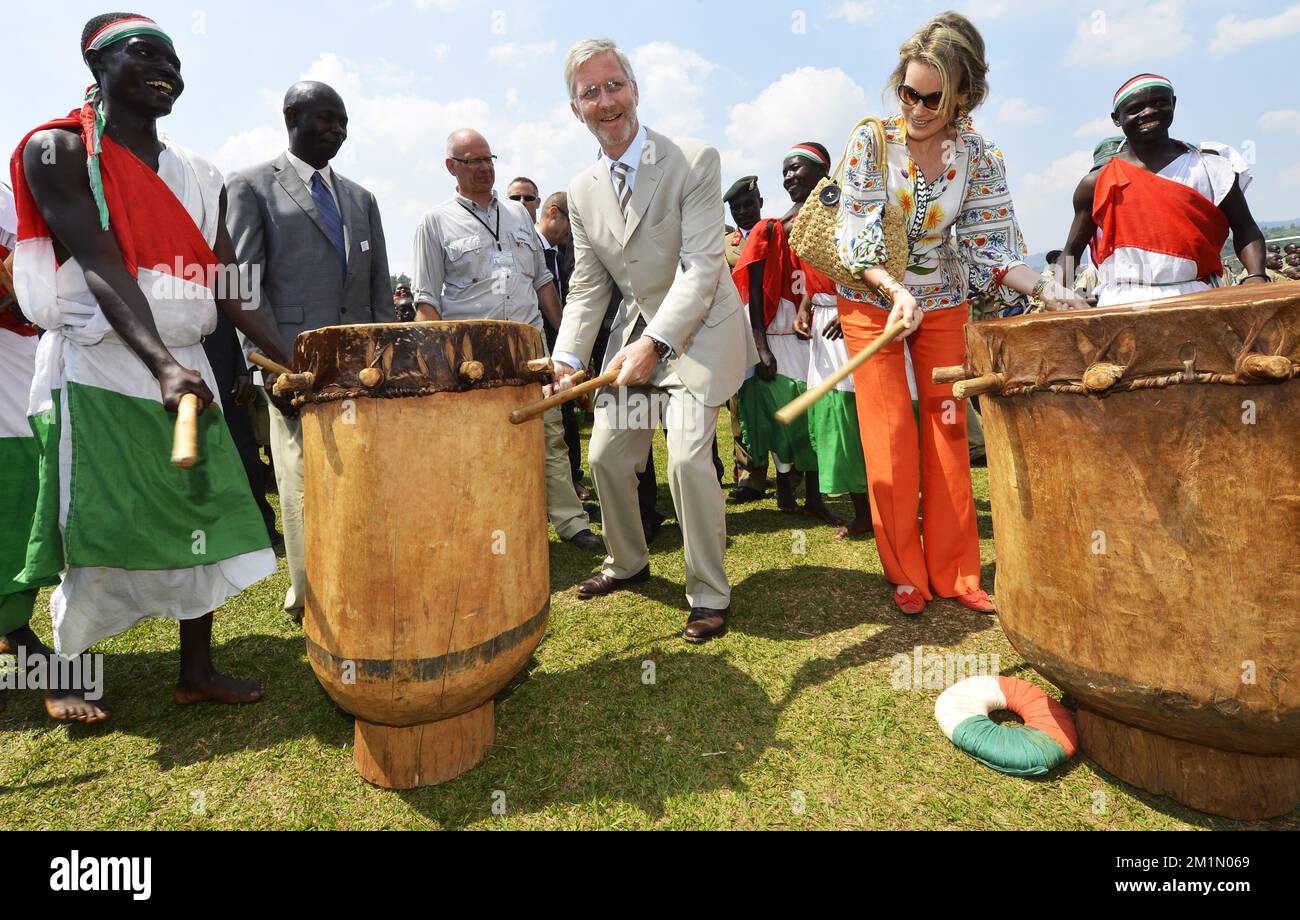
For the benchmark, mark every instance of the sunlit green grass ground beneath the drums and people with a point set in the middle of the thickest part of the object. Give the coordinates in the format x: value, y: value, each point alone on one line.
x: 788, y: 722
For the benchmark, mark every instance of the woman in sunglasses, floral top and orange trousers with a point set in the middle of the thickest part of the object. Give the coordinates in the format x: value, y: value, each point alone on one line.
x: 944, y: 177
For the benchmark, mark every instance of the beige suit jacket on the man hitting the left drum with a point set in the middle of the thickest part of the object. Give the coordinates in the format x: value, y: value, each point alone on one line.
x: 668, y: 261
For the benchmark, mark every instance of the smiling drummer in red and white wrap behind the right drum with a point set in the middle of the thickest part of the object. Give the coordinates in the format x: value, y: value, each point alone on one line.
x: 1159, y: 214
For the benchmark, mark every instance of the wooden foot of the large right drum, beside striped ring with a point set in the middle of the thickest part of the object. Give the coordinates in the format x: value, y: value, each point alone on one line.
x: 1243, y: 787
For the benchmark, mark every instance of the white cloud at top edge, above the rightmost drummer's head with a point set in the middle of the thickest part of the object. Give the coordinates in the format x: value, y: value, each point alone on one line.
x: 1130, y: 33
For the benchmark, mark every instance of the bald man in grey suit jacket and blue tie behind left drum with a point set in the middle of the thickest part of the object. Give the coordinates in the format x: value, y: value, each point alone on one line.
x: 314, y: 246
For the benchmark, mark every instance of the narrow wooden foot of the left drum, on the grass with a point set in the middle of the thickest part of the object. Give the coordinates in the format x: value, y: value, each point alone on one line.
x: 423, y: 756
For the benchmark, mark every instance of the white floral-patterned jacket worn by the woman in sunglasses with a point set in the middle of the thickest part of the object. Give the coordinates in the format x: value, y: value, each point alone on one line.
x: 972, y: 198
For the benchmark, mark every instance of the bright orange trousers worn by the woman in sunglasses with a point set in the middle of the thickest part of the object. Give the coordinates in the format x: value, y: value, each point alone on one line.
x: 903, y: 461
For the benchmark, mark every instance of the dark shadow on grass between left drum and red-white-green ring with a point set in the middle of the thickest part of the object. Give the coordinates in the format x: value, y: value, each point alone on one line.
x: 600, y: 736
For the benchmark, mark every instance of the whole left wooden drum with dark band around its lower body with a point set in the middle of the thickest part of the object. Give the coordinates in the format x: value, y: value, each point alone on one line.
x: 426, y: 526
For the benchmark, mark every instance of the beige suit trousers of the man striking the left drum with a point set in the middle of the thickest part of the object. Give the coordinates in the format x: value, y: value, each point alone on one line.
x: 621, y: 444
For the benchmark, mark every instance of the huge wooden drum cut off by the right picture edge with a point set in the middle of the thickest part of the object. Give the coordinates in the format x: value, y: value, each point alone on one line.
x: 1145, y: 474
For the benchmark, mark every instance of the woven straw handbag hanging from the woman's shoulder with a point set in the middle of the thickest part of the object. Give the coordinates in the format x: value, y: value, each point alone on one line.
x: 813, y: 235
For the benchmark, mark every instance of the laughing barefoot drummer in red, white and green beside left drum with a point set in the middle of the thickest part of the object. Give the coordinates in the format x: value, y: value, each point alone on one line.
x: 124, y: 259
